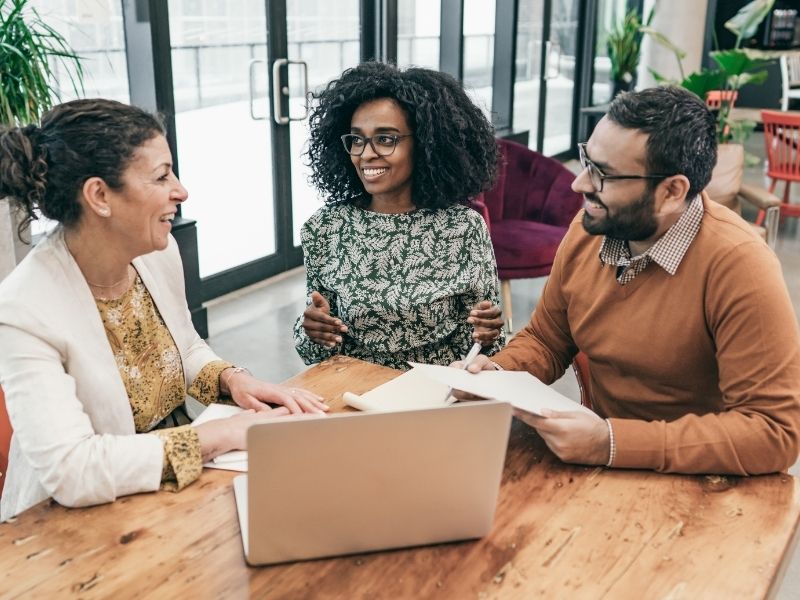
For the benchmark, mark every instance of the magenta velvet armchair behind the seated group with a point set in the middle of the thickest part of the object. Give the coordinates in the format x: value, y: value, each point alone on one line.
x: 528, y: 212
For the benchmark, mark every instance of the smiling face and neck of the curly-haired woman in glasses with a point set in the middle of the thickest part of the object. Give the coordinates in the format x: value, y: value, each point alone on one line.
x: 387, y: 179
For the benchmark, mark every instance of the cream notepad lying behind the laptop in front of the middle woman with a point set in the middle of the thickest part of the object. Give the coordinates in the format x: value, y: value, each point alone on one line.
x: 412, y: 389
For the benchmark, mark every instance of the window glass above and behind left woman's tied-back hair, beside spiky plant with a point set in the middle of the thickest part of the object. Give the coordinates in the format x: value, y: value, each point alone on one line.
x: 96, y: 33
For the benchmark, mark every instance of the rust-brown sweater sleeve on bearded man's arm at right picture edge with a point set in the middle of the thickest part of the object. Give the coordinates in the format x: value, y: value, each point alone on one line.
x: 751, y: 318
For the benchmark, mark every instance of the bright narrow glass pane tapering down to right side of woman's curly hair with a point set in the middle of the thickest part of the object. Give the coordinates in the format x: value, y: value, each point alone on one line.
x: 479, y: 51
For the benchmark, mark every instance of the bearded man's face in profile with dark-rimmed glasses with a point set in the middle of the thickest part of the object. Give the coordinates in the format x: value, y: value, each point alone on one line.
x: 626, y: 208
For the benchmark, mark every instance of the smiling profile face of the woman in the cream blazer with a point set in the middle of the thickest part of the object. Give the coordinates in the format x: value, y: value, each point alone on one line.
x: 143, y: 210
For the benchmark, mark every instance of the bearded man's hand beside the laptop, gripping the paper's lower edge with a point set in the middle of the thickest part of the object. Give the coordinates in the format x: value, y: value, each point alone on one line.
x: 575, y: 437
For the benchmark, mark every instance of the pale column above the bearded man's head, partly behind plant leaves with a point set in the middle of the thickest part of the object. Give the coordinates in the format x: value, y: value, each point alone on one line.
x: 683, y: 22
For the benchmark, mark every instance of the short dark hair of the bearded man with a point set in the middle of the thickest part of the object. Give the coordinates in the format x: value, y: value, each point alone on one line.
x: 682, y: 136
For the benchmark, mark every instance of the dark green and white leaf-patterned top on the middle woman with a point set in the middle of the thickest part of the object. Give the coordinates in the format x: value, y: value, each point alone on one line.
x: 403, y: 283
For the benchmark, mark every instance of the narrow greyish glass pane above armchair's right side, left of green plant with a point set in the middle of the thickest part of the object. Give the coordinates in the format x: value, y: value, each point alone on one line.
x: 560, y: 77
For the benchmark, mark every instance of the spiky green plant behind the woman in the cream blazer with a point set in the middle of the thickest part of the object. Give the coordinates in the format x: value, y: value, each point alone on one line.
x: 28, y: 49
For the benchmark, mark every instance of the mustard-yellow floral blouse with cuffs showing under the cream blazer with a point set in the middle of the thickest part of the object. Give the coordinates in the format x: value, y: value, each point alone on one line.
x: 150, y: 365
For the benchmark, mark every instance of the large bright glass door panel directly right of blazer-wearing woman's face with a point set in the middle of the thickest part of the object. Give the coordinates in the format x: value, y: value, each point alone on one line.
x: 225, y: 160
